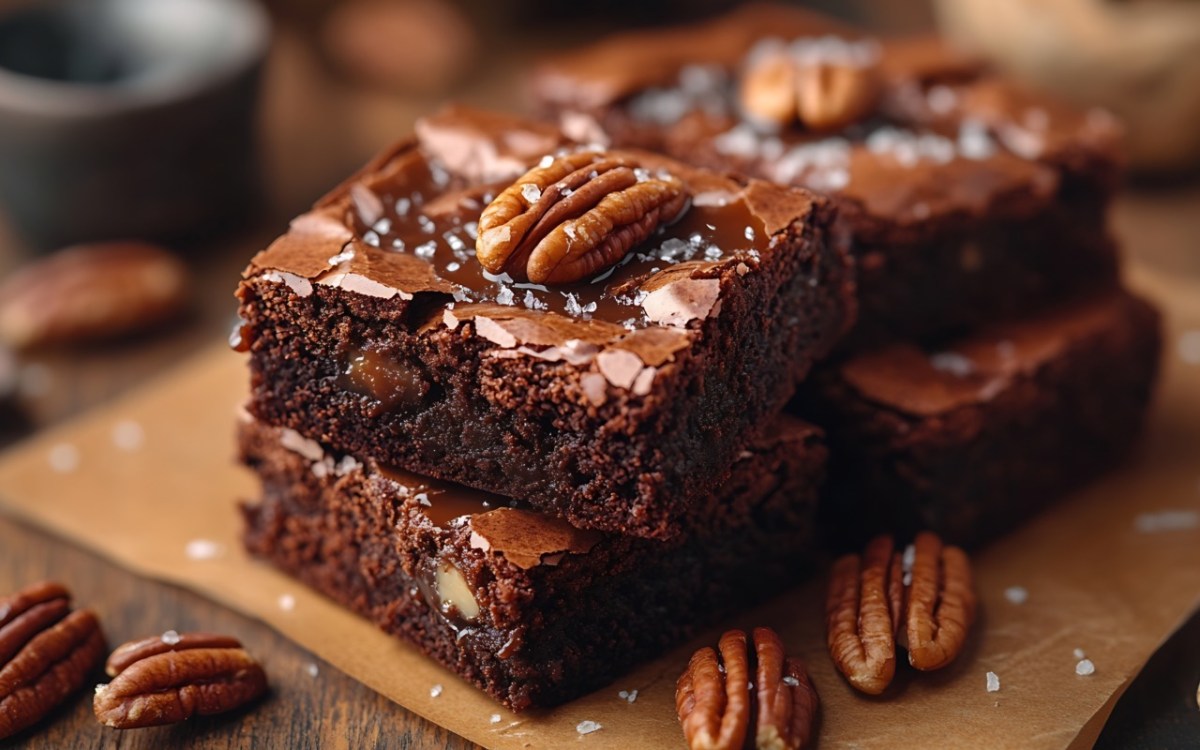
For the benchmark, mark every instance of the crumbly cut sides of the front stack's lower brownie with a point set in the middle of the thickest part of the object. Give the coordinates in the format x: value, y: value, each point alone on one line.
x: 567, y: 628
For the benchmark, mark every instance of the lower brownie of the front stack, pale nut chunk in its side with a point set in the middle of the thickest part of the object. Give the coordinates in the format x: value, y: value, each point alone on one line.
x: 524, y: 605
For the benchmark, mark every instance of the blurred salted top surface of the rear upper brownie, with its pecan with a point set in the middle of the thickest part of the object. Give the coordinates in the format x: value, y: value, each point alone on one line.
x: 909, y: 129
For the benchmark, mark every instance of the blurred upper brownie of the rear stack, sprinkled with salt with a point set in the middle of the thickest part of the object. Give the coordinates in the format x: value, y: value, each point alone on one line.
x: 969, y: 200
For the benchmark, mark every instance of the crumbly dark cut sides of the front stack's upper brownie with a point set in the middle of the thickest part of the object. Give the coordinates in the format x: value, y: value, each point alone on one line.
x: 523, y: 428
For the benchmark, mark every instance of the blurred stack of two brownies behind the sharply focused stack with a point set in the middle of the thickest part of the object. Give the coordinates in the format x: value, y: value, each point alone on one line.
x: 997, y: 363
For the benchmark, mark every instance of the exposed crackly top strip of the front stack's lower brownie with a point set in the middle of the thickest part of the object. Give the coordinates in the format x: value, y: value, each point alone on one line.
x: 525, y: 538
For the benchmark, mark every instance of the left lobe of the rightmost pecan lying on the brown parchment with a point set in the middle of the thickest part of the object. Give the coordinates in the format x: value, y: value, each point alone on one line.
x: 862, y: 616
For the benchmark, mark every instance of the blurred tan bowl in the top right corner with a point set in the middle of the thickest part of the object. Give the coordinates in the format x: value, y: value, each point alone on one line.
x: 1142, y: 61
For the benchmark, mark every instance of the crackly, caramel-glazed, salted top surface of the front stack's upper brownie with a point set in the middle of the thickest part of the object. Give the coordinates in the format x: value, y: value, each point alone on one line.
x: 407, y: 226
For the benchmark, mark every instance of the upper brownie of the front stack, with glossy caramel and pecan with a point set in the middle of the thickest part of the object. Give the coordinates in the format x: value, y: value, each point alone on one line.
x: 616, y: 400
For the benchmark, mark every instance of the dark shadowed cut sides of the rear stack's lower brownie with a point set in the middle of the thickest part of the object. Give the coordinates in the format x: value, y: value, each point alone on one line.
x: 980, y: 470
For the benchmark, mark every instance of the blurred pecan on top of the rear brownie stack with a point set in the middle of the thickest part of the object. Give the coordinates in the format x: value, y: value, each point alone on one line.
x: 823, y: 95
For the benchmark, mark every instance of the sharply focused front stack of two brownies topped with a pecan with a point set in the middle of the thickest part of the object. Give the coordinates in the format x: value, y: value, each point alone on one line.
x: 539, y: 483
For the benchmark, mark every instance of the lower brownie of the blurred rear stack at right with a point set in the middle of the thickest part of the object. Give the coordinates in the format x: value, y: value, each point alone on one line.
x: 973, y: 437
